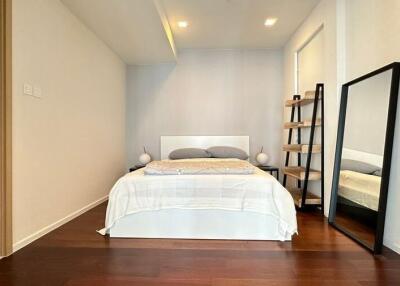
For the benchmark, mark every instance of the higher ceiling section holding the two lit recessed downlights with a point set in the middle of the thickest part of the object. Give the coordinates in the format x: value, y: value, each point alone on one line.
x: 235, y: 23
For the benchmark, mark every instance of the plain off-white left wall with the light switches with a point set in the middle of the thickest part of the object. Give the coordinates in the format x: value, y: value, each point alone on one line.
x: 68, y: 146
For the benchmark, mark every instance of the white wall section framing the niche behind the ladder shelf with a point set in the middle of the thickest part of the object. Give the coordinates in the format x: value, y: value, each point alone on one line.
x: 322, y: 15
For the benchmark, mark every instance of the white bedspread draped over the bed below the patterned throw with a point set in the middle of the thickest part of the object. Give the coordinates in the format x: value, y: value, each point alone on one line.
x: 259, y: 192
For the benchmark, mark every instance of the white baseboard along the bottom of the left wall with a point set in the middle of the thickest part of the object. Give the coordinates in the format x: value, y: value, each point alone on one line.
x: 27, y: 240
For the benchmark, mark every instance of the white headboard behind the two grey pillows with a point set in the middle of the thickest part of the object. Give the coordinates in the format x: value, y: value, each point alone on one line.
x: 170, y: 143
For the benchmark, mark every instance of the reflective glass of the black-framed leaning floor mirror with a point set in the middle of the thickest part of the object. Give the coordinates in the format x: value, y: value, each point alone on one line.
x: 362, y: 157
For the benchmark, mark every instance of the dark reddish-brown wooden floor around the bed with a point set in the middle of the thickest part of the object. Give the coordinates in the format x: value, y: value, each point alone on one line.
x: 75, y: 255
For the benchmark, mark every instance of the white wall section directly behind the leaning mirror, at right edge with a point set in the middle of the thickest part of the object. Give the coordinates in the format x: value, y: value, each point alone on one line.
x: 372, y: 40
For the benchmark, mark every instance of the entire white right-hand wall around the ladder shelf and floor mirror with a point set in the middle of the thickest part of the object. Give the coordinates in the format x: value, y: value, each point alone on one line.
x: 359, y: 36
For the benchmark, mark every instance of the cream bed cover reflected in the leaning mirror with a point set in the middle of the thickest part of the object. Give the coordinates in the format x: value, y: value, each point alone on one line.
x: 360, y: 188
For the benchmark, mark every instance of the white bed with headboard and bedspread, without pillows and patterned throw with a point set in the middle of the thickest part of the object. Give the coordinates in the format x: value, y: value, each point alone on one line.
x: 201, y: 206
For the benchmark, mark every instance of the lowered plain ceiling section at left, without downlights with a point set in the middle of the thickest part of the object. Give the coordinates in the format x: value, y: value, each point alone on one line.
x: 131, y: 28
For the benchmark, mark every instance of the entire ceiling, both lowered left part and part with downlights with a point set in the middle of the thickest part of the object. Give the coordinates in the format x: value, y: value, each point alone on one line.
x: 146, y: 31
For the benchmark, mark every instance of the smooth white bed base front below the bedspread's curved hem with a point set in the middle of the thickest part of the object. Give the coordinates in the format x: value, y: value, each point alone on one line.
x: 199, y: 224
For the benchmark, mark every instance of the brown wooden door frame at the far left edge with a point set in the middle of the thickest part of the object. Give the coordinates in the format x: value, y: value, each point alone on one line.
x: 5, y: 129
